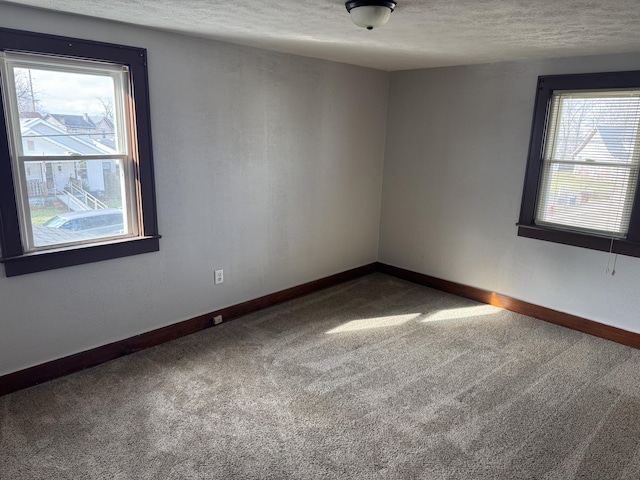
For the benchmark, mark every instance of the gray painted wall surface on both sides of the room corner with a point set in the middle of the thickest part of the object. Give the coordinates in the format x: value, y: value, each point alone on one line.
x: 270, y: 166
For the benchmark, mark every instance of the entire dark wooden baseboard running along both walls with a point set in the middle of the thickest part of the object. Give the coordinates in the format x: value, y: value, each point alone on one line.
x: 74, y: 363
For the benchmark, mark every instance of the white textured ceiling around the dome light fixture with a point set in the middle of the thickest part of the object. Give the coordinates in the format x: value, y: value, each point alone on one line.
x: 421, y: 33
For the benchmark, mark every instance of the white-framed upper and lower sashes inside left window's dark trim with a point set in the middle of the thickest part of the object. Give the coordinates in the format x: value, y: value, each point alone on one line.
x: 70, y: 109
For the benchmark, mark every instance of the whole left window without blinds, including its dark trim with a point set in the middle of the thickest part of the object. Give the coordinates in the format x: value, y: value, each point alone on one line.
x: 76, y: 168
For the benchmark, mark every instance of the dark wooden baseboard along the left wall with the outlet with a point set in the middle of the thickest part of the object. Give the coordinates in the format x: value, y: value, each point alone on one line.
x: 90, y: 358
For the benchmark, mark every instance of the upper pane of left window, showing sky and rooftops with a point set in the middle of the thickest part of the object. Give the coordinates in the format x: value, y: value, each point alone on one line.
x: 66, y: 113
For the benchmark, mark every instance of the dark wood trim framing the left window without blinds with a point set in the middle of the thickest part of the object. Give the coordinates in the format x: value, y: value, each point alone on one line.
x: 16, y: 261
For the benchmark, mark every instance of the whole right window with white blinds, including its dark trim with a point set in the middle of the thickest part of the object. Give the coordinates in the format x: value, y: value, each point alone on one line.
x: 582, y: 173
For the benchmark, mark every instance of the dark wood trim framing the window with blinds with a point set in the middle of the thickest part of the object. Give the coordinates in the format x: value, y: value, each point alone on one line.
x: 526, y: 226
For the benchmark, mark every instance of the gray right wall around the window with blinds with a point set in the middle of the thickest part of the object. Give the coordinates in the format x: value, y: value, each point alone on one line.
x: 456, y: 152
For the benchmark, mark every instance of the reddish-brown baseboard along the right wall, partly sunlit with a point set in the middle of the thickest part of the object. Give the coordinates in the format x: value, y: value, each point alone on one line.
x: 548, y: 315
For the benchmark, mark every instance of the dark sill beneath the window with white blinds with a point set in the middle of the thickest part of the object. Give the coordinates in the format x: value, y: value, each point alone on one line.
x: 593, y: 242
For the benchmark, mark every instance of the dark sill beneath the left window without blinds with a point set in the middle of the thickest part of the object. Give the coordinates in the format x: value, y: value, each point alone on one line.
x: 52, y: 259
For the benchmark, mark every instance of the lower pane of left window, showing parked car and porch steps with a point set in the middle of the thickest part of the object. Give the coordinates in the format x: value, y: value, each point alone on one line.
x: 75, y: 201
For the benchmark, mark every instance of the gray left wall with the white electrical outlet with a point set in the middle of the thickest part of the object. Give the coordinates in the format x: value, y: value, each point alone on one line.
x: 267, y: 165
